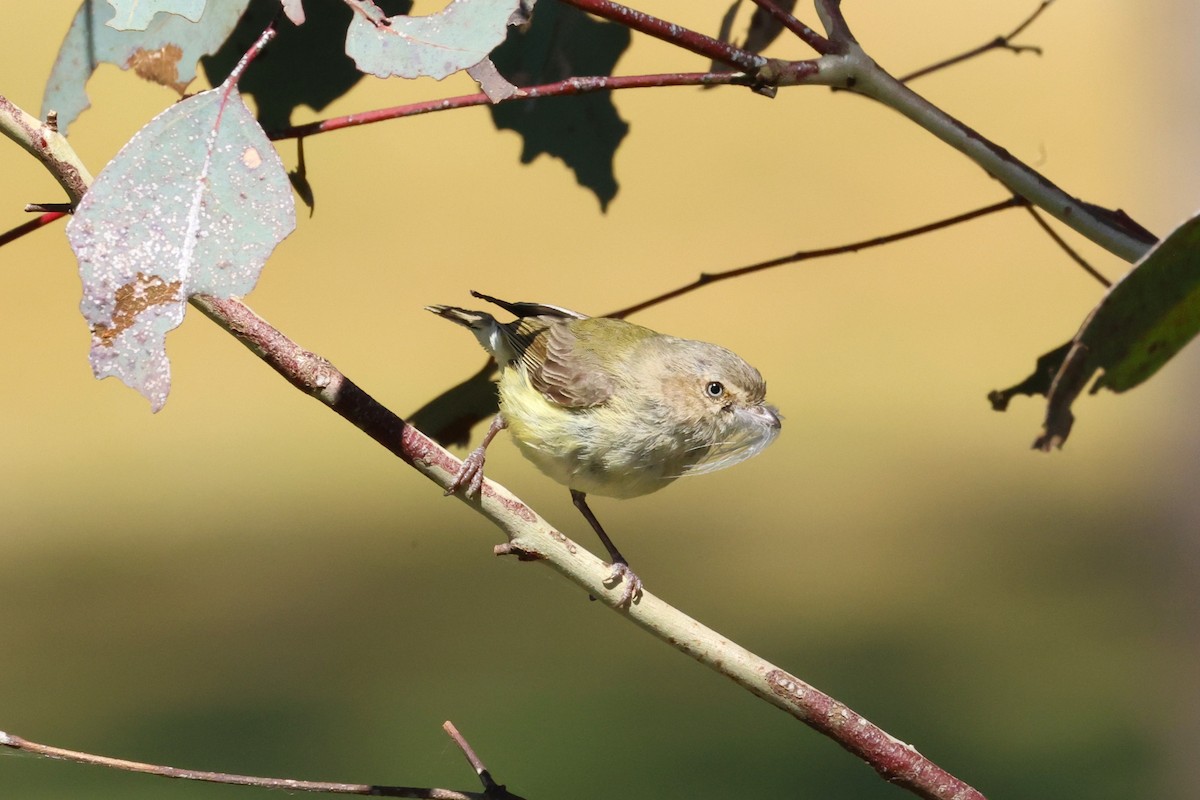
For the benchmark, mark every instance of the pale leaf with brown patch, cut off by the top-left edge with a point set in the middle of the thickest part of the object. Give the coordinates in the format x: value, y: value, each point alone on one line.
x: 166, y: 52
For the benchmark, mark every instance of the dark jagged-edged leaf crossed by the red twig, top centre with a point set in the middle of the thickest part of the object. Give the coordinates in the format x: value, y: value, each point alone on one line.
x: 585, y: 130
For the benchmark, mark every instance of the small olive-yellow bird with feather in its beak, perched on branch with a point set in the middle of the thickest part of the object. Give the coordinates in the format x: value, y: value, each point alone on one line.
x: 608, y: 407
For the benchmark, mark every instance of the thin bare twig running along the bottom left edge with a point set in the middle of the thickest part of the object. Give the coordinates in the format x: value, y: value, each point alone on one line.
x: 290, y: 785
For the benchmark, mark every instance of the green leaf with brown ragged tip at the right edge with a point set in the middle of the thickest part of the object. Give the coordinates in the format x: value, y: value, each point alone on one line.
x: 1142, y: 323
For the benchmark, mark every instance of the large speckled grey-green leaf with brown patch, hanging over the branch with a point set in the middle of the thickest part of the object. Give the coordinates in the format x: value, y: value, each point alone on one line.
x: 194, y: 204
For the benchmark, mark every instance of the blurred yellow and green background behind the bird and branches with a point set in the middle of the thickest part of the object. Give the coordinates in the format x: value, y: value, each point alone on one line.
x: 245, y: 584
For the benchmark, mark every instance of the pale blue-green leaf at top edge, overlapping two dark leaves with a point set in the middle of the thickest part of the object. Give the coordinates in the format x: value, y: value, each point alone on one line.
x: 457, y: 38
